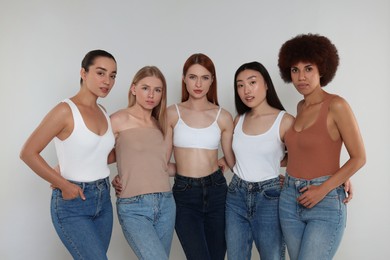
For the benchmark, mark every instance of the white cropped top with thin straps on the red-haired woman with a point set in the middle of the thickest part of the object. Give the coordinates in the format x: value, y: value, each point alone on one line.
x: 185, y: 136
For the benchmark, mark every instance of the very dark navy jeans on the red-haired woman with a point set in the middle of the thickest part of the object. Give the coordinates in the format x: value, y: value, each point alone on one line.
x: 200, y: 215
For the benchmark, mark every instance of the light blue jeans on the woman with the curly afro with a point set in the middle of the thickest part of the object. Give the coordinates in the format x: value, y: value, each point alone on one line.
x: 312, y: 233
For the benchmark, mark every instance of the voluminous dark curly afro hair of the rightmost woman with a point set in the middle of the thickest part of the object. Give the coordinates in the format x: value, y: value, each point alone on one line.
x: 312, y: 48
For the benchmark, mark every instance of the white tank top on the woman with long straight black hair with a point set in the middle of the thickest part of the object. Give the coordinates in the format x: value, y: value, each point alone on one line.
x: 258, y: 156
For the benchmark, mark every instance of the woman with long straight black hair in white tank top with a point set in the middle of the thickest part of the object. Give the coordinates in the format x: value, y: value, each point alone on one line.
x: 258, y: 143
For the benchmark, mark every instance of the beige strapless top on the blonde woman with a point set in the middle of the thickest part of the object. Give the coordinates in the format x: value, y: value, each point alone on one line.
x: 142, y: 162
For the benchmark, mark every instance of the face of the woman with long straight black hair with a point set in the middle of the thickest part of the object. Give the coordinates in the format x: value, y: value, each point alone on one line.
x: 251, y: 88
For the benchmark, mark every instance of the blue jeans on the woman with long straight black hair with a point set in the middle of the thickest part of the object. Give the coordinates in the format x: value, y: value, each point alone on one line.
x: 252, y: 215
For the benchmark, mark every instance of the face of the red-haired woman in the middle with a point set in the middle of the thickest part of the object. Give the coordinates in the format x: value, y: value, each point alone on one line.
x: 198, y: 81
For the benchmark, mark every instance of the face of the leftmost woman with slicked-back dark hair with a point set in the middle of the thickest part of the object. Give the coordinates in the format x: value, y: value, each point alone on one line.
x: 100, y: 77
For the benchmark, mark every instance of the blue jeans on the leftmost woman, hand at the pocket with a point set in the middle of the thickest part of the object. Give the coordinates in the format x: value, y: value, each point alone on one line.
x: 84, y: 226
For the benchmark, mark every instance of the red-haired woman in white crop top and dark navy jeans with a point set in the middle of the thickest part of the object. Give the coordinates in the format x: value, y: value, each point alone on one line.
x: 197, y: 126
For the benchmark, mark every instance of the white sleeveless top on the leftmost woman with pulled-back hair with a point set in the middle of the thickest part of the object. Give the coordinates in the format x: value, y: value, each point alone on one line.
x: 83, y: 155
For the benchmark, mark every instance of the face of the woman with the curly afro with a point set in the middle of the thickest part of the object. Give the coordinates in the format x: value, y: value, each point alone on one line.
x: 305, y: 77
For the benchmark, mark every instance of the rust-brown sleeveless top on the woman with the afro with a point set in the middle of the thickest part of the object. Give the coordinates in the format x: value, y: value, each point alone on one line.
x: 311, y: 152
